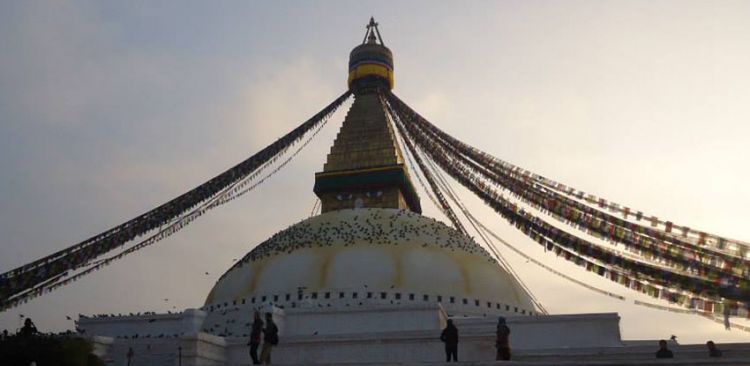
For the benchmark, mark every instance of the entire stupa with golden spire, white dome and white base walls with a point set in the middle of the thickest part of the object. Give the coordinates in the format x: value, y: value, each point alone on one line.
x: 369, y: 280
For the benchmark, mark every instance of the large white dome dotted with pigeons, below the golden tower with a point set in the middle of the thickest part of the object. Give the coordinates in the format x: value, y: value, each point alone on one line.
x: 372, y: 255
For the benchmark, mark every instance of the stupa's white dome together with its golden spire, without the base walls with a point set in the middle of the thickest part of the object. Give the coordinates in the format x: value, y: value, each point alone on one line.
x: 370, y: 245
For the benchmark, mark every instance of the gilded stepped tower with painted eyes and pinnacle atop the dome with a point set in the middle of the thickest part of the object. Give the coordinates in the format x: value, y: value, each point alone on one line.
x: 365, y: 167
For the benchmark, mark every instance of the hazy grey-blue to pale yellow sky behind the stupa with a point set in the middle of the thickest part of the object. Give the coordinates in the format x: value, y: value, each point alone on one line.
x: 110, y: 108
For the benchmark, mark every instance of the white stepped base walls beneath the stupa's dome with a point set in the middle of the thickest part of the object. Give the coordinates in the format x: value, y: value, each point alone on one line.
x: 368, y: 334
